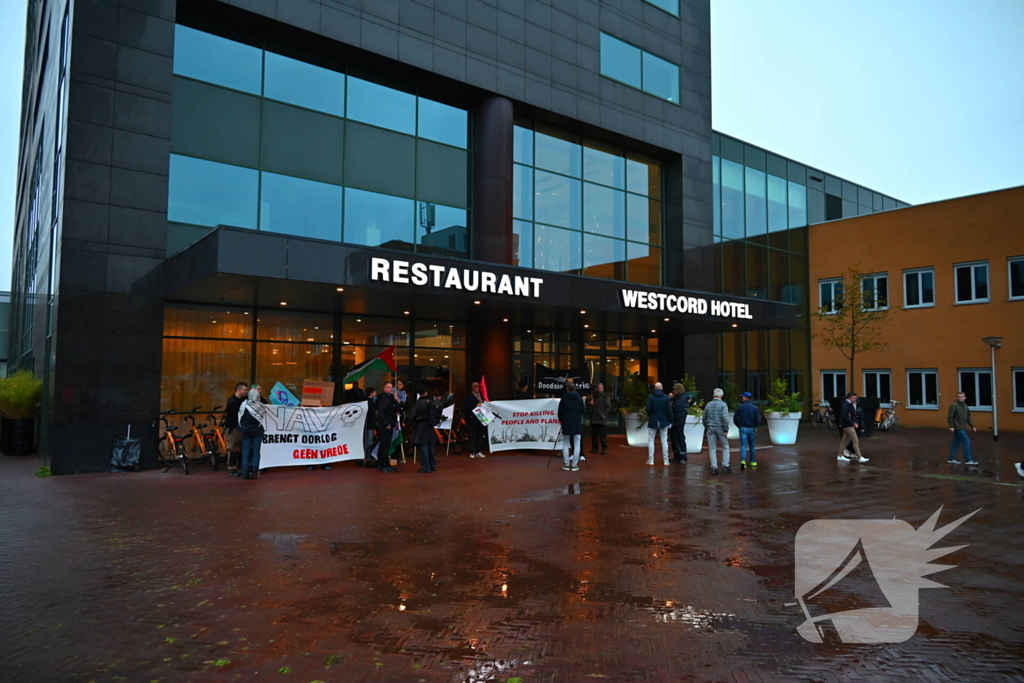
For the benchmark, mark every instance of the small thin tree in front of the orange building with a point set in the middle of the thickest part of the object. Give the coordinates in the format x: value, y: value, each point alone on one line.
x: 852, y: 322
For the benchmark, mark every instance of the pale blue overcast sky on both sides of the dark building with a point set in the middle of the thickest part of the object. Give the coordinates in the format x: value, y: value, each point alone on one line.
x: 920, y: 100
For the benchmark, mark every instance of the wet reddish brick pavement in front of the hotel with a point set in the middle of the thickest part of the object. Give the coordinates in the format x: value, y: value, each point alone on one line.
x: 494, y: 571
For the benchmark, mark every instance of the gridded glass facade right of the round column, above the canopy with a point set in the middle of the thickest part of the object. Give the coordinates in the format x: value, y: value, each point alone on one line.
x: 586, y: 208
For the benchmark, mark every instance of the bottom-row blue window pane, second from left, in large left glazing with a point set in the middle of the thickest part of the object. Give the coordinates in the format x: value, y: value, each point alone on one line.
x: 295, y: 206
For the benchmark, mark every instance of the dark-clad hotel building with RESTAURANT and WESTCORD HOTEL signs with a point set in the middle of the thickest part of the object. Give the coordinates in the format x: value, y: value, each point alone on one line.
x: 216, y: 192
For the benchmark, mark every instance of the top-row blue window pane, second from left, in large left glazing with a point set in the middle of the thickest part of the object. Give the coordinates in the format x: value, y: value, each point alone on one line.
x: 300, y: 83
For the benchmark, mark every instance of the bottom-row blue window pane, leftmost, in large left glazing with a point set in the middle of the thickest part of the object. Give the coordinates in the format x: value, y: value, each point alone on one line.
x: 205, y: 193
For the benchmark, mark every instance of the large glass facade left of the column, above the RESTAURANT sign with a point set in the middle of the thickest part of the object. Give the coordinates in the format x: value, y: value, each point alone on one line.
x: 265, y: 142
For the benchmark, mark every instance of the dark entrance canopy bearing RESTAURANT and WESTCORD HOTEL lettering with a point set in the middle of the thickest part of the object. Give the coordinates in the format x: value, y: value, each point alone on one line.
x: 238, y: 268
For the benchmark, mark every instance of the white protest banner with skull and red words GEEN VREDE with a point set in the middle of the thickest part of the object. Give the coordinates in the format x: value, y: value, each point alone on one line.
x: 313, y: 436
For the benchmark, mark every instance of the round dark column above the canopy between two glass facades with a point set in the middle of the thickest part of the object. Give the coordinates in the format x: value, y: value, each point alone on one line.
x: 492, y: 225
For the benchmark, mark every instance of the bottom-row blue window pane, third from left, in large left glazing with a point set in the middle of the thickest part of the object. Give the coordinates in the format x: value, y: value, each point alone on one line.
x: 378, y: 221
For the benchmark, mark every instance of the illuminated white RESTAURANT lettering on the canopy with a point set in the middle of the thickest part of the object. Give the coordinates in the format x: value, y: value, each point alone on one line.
x: 420, y: 275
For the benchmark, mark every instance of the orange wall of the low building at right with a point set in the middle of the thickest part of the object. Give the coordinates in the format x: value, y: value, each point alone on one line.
x: 946, y: 337
